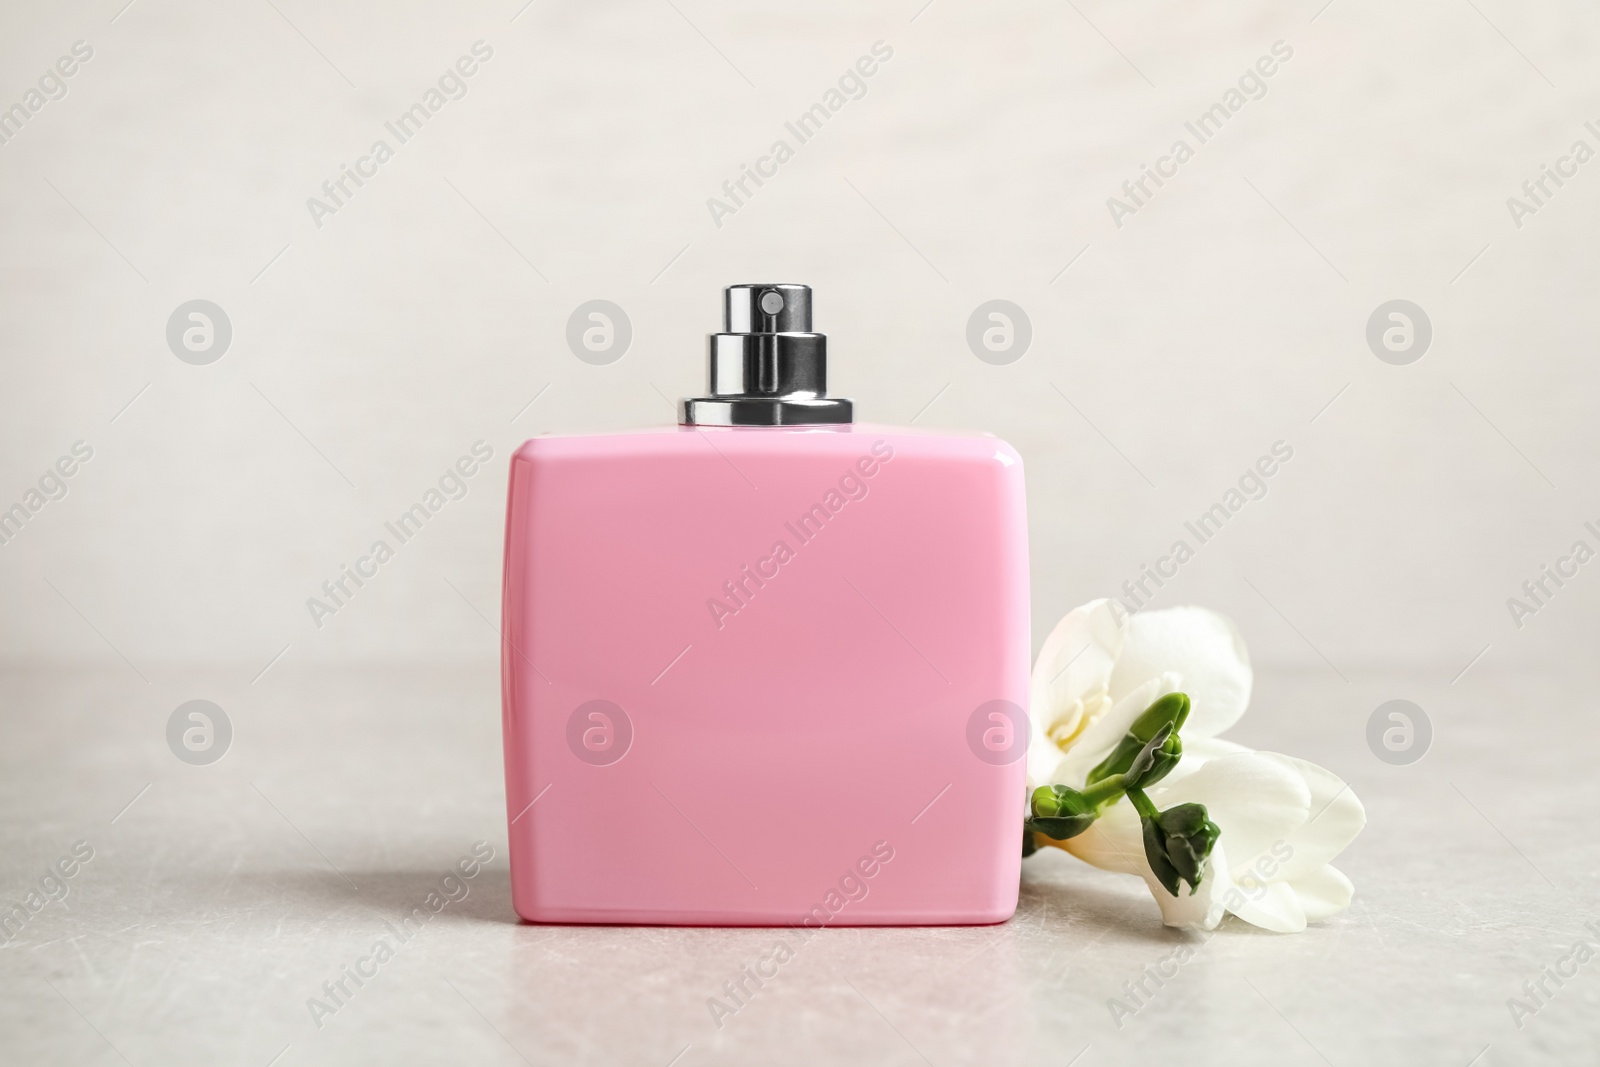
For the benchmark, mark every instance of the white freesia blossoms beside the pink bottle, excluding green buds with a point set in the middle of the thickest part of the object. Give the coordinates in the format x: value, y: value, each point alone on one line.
x: 1282, y: 820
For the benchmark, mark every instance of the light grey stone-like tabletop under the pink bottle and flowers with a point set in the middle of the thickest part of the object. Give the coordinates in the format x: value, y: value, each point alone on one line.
x: 223, y: 897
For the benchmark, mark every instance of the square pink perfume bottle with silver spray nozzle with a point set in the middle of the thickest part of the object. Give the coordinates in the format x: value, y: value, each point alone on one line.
x: 769, y: 666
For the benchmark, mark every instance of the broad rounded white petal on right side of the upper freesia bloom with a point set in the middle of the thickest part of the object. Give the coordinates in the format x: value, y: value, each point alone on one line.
x: 1201, y: 645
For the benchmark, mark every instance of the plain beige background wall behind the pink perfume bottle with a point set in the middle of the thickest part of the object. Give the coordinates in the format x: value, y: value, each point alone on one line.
x: 1225, y: 316
